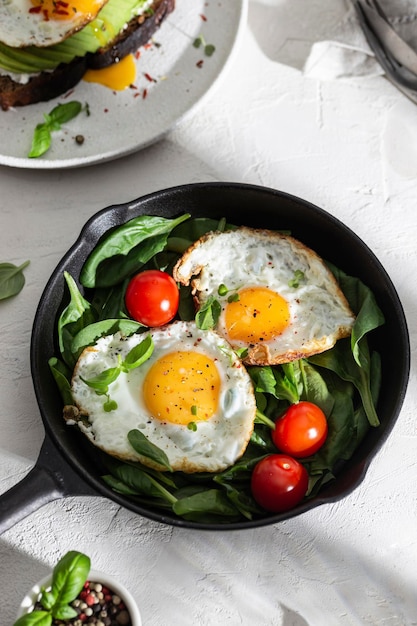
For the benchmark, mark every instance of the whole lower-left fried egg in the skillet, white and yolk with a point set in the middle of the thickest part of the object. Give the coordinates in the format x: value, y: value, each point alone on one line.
x: 193, y: 398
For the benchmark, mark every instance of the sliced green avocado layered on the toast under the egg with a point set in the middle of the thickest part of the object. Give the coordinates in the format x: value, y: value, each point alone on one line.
x: 97, y: 34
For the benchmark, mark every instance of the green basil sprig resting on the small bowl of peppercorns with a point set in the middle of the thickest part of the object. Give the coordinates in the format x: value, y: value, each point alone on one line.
x: 68, y: 578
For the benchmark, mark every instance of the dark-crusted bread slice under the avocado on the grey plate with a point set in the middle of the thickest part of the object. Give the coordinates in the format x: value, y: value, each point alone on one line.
x: 48, y: 85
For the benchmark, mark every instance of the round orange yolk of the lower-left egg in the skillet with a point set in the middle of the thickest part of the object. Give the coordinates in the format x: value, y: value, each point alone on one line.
x: 182, y: 387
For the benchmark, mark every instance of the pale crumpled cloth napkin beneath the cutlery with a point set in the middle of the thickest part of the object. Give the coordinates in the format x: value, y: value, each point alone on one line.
x: 347, y: 54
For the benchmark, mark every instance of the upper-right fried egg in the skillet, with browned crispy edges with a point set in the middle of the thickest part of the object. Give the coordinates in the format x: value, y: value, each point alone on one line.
x: 278, y: 299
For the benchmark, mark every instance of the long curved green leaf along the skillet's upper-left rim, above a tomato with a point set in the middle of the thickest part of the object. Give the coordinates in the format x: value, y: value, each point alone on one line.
x: 121, y: 241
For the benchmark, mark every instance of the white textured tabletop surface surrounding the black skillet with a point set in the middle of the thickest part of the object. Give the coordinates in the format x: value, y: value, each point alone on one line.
x: 348, y: 145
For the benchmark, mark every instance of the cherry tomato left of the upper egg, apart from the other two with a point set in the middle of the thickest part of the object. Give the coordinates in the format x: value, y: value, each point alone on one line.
x: 152, y: 298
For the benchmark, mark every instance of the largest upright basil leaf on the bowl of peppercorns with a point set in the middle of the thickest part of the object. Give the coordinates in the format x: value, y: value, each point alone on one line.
x: 69, y: 576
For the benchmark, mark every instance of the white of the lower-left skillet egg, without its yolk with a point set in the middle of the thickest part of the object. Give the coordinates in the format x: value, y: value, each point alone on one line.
x: 215, y: 444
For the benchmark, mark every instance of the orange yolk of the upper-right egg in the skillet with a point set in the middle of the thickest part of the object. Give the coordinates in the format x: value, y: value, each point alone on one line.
x: 258, y: 314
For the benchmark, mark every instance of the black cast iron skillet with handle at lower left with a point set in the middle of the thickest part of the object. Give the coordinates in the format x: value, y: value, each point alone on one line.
x: 67, y: 465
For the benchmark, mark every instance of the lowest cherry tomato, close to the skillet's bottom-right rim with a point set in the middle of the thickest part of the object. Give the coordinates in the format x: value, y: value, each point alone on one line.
x: 279, y: 482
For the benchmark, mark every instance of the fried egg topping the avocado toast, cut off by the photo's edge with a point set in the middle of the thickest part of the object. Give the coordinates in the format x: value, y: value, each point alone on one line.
x: 44, y: 22
